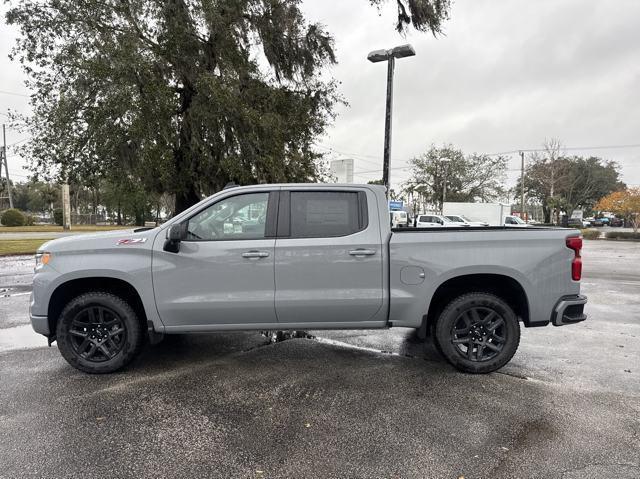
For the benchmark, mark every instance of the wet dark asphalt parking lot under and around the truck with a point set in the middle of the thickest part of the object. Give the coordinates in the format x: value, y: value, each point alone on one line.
x: 349, y: 404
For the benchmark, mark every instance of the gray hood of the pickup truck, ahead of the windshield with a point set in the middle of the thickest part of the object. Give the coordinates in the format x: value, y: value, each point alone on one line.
x: 101, y: 241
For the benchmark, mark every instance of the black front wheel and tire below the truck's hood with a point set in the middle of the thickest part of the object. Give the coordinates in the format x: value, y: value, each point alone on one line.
x: 99, y: 333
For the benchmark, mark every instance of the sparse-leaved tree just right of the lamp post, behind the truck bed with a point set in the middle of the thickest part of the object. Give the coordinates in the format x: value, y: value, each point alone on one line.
x: 469, y: 178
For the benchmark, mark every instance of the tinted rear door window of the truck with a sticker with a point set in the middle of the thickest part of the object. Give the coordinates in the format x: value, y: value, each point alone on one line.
x: 326, y: 213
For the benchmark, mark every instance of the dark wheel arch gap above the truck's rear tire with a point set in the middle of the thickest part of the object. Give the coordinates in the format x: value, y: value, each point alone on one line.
x: 505, y: 287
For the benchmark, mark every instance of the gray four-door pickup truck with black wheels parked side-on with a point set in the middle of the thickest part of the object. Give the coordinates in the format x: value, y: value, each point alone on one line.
x: 303, y: 256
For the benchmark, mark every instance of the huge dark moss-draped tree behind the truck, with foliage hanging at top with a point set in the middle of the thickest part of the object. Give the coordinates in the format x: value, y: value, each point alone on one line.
x: 180, y: 95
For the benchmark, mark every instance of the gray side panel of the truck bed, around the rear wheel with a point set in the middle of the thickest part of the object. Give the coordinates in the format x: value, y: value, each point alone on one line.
x: 535, y: 257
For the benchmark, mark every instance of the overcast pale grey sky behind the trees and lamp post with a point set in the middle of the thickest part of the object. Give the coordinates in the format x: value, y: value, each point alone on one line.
x: 505, y: 76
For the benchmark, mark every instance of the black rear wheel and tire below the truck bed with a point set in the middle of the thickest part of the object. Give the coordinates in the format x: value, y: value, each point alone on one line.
x: 477, y: 333
